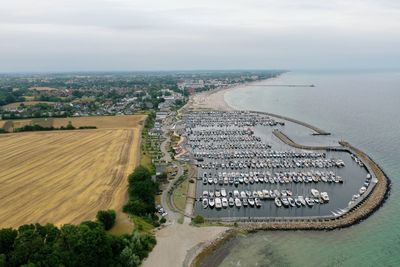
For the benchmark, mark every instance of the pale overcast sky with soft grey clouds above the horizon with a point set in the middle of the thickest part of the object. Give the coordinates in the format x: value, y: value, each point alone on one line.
x: 112, y: 35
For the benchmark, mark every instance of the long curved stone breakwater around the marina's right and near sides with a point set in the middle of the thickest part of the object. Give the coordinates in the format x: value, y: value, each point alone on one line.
x: 358, y: 213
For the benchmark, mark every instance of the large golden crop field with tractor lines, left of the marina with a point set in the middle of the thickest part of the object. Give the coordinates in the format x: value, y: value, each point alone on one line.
x: 67, y: 176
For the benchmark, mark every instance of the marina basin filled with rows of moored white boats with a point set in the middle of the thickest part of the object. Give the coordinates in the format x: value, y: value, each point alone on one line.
x: 244, y: 172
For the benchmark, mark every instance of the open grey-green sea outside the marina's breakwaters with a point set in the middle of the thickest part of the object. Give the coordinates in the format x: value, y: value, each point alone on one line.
x: 360, y: 107
